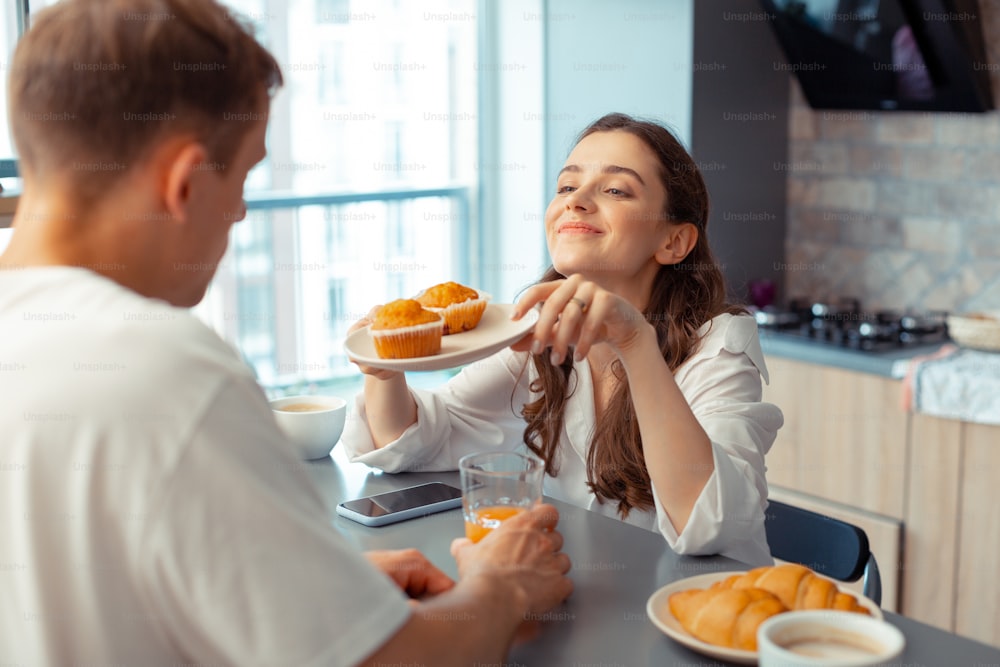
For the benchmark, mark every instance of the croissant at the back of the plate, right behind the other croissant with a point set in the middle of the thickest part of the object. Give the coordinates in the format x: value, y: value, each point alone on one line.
x: 796, y: 586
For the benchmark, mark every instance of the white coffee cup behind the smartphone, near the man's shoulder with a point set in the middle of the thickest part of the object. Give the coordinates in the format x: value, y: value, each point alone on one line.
x: 314, y: 427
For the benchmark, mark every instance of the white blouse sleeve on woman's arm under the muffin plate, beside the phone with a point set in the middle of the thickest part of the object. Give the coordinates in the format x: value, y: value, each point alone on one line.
x: 478, y: 409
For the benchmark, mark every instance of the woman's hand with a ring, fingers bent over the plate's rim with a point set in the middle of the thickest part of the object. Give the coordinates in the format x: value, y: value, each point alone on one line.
x: 578, y: 313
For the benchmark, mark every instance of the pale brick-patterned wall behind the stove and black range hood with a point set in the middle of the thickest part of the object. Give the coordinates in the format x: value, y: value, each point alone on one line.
x: 897, y: 209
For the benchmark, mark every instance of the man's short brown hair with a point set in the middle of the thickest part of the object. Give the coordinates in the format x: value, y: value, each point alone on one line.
x: 95, y: 85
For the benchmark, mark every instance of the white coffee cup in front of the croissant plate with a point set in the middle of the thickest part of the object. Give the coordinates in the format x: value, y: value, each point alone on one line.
x: 825, y: 637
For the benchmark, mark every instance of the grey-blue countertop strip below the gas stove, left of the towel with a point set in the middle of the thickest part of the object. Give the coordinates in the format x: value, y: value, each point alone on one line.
x: 888, y: 364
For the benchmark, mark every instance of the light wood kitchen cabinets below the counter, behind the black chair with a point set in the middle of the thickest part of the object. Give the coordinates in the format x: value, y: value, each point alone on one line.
x: 849, y: 446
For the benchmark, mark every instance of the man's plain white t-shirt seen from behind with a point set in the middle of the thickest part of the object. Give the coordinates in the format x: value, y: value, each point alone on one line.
x: 149, y: 512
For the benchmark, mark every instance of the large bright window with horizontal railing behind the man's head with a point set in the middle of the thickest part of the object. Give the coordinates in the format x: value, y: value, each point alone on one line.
x: 376, y: 183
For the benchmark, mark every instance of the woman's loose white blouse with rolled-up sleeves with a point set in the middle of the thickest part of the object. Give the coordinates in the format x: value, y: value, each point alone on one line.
x: 479, y: 409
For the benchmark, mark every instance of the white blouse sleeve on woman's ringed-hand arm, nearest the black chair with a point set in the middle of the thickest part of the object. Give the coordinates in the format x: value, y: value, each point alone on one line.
x: 722, y: 384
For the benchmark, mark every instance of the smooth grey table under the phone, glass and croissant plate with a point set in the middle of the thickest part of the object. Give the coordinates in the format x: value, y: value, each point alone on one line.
x: 616, y: 567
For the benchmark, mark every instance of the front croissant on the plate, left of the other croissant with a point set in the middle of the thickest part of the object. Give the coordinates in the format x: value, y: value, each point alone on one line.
x: 725, y: 617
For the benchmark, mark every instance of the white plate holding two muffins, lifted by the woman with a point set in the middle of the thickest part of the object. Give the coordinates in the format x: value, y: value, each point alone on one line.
x: 495, y: 331
